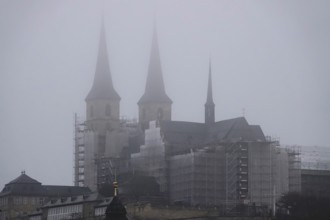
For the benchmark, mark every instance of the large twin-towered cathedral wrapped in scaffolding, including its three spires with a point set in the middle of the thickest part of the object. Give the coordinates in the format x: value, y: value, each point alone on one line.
x: 214, y: 163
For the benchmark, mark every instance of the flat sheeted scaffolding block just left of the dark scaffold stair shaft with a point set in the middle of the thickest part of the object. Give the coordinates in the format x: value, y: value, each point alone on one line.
x: 196, y: 178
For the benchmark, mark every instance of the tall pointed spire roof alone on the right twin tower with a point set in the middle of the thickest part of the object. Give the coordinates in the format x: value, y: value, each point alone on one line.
x: 155, y: 89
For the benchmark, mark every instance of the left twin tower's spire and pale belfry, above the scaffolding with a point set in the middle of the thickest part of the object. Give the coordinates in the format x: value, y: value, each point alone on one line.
x: 102, y: 102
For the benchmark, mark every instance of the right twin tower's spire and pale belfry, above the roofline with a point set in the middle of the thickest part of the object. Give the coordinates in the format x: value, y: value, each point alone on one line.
x: 154, y: 104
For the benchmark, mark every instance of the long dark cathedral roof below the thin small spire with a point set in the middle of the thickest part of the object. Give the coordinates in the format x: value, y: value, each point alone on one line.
x: 191, y: 134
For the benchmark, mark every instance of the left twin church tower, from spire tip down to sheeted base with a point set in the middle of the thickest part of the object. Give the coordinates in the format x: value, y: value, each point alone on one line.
x: 102, y: 136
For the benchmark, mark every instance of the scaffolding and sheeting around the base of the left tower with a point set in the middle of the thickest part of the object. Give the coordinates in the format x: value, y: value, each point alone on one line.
x: 93, y: 159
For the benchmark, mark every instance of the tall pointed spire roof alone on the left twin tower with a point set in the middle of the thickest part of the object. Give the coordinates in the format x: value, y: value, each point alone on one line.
x: 102, y: 86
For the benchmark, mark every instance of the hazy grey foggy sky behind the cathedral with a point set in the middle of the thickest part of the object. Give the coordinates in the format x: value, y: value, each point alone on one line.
x: 271, y: 58
